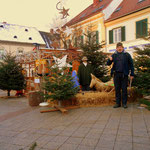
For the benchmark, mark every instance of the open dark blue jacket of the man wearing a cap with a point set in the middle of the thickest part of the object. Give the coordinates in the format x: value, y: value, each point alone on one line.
x: 127, y: 63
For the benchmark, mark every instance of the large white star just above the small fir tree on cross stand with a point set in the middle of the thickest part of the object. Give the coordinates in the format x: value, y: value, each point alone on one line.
x: 61, y: 62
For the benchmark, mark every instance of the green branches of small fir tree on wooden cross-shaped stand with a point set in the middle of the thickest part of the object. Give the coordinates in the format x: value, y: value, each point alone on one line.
x: 59, y: 85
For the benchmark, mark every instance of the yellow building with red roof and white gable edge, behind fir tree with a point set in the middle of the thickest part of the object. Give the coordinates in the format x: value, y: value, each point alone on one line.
x: 92, y: 18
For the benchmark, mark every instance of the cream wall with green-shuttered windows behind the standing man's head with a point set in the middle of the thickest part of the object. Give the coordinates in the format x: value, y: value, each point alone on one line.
x: 136, y: 26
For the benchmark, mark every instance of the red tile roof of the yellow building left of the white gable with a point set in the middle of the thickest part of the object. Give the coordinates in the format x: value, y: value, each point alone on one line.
x: 89, y: 11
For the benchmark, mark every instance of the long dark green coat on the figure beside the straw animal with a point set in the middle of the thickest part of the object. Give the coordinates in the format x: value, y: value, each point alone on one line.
x: 84, y: 74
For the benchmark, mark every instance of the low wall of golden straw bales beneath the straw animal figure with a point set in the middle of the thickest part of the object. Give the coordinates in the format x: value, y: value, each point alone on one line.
x: 93, y: 99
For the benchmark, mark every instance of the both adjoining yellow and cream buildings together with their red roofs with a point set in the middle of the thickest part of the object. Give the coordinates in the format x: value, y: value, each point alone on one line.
x: 115, y: 21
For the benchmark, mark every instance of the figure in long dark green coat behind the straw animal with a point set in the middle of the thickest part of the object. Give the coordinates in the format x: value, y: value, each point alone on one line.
x: 84, y: 74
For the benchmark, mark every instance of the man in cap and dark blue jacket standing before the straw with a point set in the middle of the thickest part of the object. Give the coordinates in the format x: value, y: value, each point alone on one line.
x: 122, y: 65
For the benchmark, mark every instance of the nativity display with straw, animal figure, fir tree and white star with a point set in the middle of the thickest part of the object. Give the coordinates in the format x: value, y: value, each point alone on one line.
x: 62, y: 91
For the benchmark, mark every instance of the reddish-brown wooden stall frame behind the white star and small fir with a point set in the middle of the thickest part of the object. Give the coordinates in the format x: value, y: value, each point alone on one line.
x: 36, y: 62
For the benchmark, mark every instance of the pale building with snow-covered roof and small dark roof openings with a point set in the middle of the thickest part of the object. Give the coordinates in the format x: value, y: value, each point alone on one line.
x: 18, y: 39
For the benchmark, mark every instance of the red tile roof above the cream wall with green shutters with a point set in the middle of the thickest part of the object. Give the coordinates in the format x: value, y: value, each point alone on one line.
x: 128, y: 7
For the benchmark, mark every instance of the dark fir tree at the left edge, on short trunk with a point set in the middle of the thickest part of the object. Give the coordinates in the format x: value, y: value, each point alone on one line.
x: 11, y: 76
